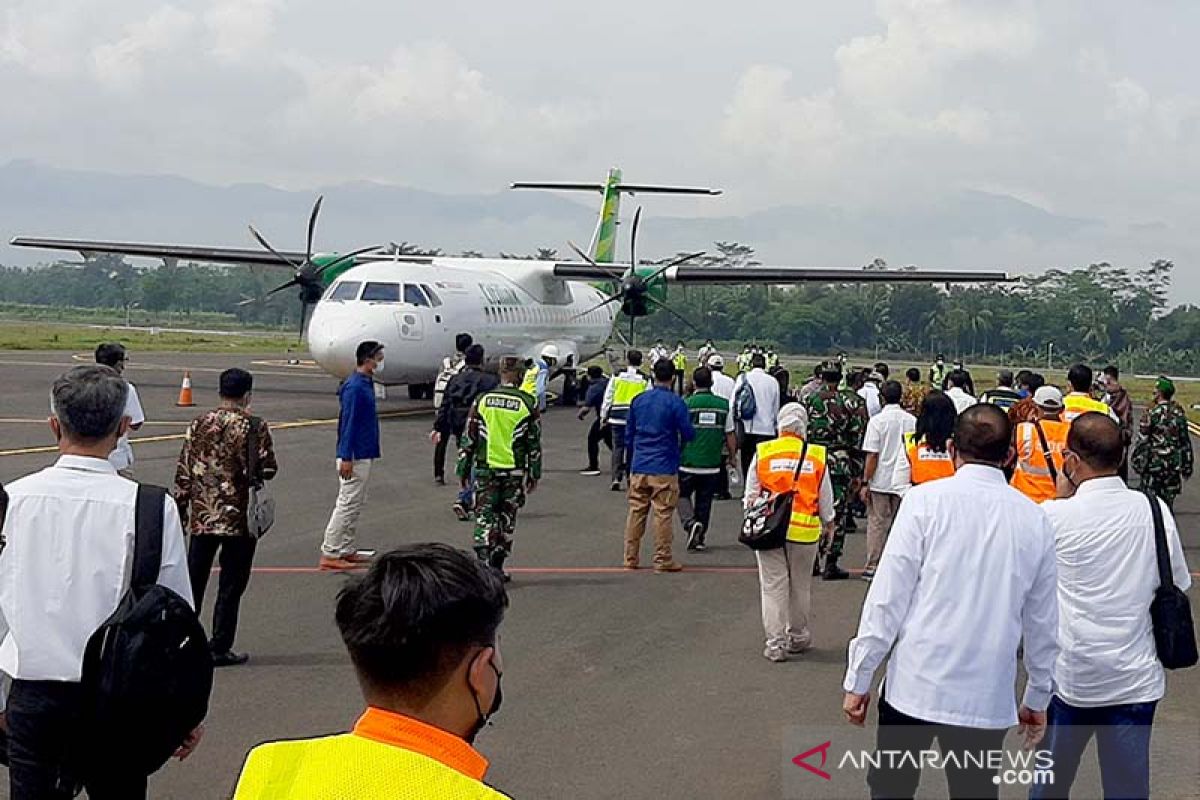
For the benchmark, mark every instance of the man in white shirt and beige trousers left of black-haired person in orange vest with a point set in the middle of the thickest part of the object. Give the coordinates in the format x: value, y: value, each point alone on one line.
x: 884, y: 446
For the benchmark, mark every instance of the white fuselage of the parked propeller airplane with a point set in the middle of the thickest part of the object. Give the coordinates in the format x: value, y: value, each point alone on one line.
x: 509, y: 306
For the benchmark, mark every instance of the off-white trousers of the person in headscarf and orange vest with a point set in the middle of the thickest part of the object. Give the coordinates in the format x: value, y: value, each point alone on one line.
x: 785, y: 578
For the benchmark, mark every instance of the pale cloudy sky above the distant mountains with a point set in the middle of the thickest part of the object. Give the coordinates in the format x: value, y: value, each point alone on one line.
x: 1088, y: 109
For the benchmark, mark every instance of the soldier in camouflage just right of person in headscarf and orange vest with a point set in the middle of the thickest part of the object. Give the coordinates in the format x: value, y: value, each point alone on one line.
x: 837, y: 420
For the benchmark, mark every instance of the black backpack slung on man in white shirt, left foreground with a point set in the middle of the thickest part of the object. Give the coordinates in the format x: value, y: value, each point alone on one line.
x: 147, y: 671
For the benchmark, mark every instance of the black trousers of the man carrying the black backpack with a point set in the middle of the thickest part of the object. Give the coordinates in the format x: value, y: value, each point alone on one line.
x: 44, y: 717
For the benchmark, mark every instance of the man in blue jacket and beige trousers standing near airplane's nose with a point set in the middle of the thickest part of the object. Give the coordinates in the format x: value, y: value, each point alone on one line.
x: 358, y: 448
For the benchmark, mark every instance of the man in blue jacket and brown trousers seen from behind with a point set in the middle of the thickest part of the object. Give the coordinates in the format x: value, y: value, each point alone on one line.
x: 657, y: 430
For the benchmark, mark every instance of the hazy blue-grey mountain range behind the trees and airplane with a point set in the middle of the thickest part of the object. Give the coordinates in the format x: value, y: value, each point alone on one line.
x: 970, y: 230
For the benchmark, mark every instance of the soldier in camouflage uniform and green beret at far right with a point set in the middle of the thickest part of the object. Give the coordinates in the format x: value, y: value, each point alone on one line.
x: 1165, y: 456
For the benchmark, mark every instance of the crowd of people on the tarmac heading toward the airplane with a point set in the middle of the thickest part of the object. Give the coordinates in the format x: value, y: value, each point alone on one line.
x: 999, y: 527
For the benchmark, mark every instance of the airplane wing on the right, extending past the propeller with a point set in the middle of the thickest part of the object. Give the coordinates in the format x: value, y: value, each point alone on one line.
x: 778, y: 275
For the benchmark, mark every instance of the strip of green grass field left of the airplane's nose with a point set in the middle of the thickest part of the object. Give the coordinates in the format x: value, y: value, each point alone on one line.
x: 43, y: 336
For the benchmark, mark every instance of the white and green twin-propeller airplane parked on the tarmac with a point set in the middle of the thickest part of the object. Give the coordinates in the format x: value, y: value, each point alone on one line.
x: 416, y: 305
